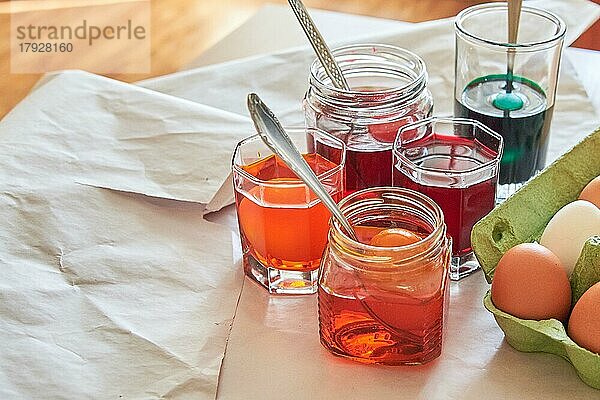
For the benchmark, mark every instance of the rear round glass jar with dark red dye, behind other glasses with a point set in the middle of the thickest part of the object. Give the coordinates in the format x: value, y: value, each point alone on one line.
x: 388, y: 90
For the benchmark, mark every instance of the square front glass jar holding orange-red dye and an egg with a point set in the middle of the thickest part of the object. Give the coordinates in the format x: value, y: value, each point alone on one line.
x: 385, y: 301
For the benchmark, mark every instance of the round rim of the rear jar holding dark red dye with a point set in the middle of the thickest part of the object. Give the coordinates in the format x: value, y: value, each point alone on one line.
x: 316, y: 67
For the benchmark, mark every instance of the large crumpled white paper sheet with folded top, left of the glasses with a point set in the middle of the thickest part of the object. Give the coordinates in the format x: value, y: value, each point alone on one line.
x: 104, y: 293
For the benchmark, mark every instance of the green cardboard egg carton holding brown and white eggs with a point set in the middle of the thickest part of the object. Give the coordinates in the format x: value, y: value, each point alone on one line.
x: 522, y: 218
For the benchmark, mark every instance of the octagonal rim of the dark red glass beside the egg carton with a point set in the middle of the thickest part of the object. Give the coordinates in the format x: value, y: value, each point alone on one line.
x: 450, y: 120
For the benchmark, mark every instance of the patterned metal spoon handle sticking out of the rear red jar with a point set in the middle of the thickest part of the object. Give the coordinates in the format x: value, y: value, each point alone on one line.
x: 332, y: 69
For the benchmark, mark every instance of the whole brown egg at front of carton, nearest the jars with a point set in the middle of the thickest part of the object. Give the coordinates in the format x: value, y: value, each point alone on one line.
x: 530, y: 283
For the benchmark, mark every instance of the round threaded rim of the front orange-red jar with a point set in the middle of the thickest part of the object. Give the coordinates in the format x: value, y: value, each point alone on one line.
x: 439, y: 228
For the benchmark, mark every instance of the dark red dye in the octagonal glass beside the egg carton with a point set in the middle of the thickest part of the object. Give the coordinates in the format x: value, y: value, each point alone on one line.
x: 462, y: 206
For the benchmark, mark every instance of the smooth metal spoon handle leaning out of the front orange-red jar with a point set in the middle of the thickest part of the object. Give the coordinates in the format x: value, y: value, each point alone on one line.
x: 274, y: 136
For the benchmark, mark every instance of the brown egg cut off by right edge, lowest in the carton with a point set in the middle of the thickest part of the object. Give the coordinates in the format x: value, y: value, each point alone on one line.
x: 584, y: 323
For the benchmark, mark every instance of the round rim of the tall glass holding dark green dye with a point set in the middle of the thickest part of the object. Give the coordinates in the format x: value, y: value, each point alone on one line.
x: 561, y: 27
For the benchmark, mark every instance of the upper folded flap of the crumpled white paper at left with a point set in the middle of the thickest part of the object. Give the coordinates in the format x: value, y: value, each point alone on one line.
x: 112, y: 134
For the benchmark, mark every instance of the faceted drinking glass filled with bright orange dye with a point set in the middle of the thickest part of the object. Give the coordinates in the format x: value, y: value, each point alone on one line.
x: 283, y: 225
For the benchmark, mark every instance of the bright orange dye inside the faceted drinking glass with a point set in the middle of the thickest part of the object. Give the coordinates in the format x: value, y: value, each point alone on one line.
x: 283, y: 227
